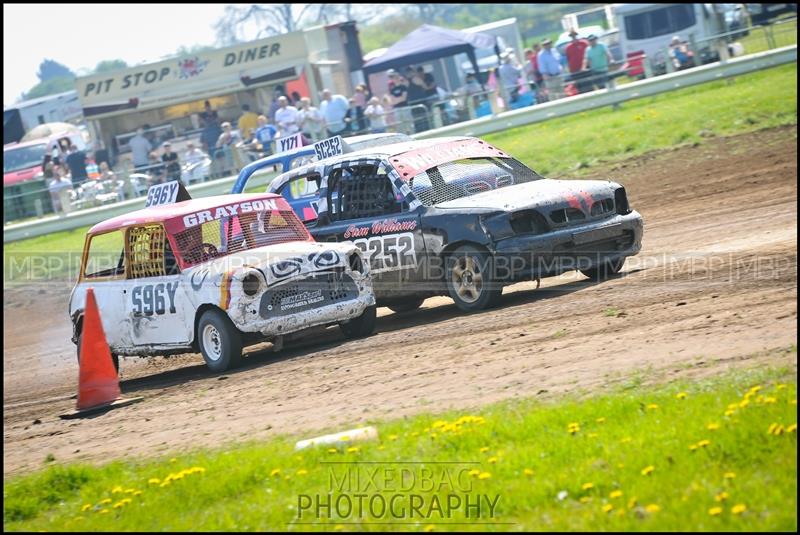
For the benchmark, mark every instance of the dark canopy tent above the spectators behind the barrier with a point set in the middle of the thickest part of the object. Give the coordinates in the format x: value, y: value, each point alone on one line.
x: 430, y: 42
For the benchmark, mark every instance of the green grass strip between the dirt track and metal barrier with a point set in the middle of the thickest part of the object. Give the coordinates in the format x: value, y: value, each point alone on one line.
x: 573, y: 146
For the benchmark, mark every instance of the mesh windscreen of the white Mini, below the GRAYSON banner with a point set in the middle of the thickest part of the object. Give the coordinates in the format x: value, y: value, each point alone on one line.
x: 234, y: 234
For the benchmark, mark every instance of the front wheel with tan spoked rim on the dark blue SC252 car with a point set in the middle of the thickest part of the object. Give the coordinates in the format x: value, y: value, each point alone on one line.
x: 470, y: 279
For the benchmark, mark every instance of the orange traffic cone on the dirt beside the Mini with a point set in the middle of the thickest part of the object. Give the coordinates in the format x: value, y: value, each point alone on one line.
x: 98, y: 384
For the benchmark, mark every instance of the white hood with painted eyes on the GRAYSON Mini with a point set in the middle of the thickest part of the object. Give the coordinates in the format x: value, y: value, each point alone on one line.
x: 279, y: 262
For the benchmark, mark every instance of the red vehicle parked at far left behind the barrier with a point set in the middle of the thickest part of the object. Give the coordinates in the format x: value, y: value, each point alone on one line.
x: 23, y: 161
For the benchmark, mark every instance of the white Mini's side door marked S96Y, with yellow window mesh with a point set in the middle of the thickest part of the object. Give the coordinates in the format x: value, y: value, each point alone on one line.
x: 155, y: 303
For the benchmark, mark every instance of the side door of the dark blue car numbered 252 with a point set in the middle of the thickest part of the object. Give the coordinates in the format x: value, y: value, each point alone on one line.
x: 362, y: 205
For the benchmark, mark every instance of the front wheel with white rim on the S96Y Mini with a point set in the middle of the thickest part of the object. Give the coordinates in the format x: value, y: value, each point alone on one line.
x: 219, y: 340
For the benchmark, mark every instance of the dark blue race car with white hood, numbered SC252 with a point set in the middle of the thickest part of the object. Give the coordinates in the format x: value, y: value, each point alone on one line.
x: 459, y: 217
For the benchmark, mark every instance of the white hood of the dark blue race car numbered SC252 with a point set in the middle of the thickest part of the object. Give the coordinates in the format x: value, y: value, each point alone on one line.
x: 539, y: 193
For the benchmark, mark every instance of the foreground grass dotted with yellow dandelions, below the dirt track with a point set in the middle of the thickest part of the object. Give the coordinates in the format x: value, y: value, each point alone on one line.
x: 715, y: 454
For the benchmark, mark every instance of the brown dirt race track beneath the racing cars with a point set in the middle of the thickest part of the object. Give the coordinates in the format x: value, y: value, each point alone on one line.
x: 714, y: 287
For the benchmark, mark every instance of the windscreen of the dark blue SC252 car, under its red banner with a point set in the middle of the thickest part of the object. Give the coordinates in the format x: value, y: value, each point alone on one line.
x: 463, y: 178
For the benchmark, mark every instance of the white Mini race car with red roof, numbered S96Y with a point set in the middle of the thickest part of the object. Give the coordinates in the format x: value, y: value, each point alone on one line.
x: 217, y: 273
